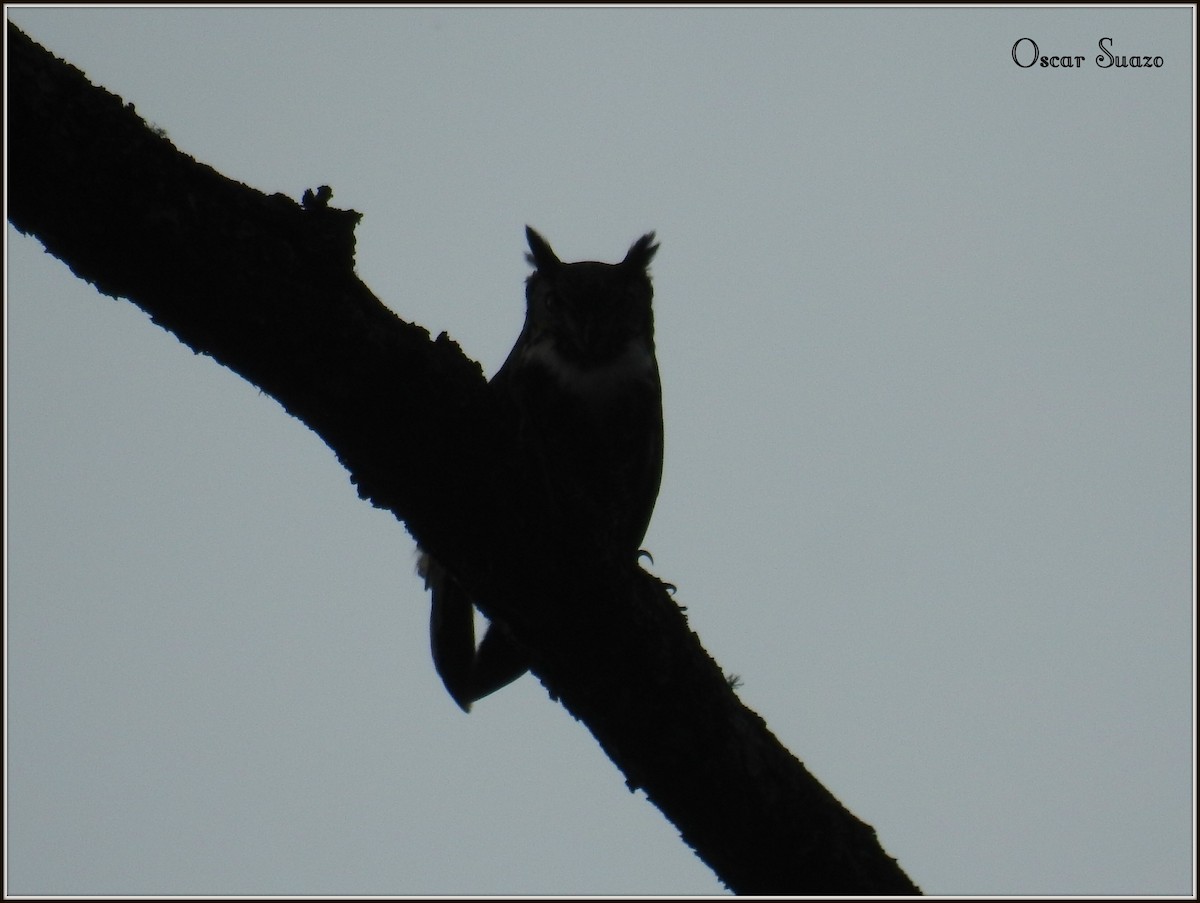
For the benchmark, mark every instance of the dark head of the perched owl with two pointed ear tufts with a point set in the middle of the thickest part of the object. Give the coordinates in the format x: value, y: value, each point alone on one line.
x: 590, y: 318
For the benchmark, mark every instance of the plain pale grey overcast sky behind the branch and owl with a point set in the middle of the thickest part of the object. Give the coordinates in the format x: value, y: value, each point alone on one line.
x: 926, y: 328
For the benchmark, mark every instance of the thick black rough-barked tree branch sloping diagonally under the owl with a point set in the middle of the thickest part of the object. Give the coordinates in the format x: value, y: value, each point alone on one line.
x: 267, y: 288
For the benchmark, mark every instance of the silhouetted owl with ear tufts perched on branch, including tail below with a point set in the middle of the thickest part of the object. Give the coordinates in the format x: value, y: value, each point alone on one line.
x: 584, y: 385
